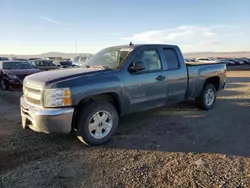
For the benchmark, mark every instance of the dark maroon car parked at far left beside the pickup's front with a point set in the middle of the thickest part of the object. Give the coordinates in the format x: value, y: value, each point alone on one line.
x: 12, y: 73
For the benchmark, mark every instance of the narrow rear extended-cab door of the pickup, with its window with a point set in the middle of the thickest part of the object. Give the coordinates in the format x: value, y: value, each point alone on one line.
x: 175, y: 72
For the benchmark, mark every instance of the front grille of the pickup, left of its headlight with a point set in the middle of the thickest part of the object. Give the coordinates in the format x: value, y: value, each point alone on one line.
x: 32, y: 95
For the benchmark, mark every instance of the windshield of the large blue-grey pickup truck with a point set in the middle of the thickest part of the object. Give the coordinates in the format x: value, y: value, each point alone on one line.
x: 110, y: 58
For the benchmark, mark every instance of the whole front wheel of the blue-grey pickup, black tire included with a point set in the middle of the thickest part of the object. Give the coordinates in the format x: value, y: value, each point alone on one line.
x: 95, y: 113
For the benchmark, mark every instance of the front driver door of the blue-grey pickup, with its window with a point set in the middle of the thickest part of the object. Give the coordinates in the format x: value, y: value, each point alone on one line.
x: 145, y: 88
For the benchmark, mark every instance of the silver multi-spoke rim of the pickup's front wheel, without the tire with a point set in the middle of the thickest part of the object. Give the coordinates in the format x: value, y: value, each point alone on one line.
x: 100, y: 124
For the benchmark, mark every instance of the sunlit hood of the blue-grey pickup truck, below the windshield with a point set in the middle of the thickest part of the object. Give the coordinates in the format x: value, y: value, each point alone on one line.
x: 39, y: 80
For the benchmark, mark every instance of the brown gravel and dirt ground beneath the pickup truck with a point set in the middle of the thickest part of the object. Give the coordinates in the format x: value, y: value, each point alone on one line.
x: 181, y: 146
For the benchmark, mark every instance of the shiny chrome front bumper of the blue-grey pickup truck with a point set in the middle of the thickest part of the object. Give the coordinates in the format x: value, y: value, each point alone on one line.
x: 50, y: 120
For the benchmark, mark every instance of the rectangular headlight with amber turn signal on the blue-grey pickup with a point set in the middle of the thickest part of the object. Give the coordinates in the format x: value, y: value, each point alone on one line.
x: 57, y: 97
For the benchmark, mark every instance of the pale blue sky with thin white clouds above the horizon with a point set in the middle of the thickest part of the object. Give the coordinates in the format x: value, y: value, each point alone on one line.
x: 87, y: 26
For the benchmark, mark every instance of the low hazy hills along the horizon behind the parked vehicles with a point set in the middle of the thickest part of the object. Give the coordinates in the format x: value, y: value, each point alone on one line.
x: 188, y: 54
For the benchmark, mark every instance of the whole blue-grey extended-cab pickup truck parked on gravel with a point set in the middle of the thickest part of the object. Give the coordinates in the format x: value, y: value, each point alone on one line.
x: 116, y: 81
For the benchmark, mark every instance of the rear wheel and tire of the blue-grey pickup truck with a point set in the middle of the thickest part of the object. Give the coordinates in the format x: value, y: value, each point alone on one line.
x: 202, y: 101
